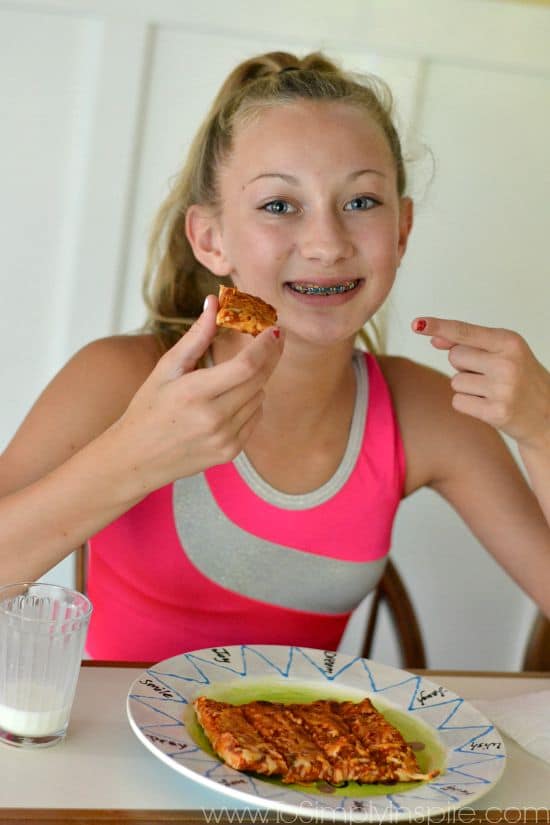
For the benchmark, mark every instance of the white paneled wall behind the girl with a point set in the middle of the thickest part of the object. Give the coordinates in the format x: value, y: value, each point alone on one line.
x: 98, y: 102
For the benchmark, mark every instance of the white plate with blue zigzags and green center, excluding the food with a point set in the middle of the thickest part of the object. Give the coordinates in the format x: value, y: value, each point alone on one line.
x: 159, y: 712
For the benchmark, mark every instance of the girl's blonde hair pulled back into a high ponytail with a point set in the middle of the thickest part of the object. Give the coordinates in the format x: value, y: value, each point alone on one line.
x: 175, y: 283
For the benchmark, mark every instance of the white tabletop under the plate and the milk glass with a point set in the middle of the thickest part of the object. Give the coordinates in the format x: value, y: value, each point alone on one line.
x: 101, y: 773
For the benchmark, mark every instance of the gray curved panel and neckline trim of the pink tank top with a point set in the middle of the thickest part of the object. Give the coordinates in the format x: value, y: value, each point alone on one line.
x: 264, y: 570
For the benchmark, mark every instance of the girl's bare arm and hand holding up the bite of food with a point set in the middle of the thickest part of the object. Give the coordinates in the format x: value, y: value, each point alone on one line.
x: 111, y: 428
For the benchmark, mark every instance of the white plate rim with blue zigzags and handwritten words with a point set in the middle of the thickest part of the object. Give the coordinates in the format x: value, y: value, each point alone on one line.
x: 468, y: 768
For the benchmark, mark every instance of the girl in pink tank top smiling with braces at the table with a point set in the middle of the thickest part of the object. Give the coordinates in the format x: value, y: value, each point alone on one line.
x: 239, y: 490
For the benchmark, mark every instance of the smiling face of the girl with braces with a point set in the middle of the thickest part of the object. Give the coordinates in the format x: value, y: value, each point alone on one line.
x: 310, y: 217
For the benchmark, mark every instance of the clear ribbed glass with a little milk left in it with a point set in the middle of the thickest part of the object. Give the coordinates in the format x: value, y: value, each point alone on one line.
x: 42, y: 632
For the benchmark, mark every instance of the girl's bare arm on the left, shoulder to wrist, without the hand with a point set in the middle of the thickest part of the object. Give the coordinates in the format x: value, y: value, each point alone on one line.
x: 58, y: 481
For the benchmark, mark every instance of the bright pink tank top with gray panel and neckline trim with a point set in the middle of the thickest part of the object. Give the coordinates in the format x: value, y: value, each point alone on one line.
x: 222, y: 558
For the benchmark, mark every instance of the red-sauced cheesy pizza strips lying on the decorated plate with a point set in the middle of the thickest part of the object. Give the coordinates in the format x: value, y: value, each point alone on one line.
x: 324, y: 740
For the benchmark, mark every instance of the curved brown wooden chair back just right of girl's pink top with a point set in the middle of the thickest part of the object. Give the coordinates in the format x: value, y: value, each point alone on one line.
x: 392, y: 592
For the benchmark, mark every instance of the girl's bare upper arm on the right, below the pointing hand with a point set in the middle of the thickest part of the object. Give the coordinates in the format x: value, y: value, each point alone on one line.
x: 467, y: 462
